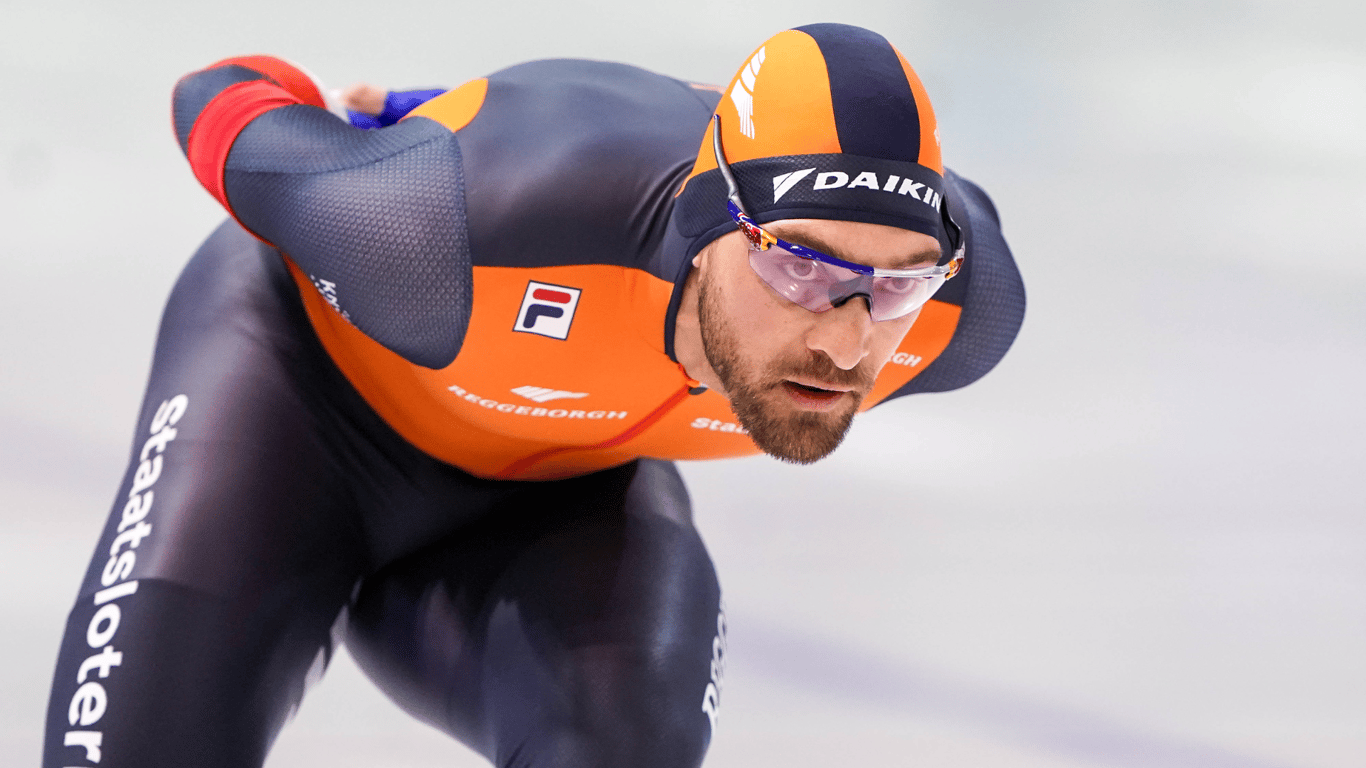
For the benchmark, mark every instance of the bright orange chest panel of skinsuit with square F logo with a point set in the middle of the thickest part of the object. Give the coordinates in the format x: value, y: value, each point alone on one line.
x: 563, y: 372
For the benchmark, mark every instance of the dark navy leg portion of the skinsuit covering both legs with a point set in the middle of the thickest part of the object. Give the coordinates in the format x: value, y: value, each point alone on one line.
x: 268, y: 513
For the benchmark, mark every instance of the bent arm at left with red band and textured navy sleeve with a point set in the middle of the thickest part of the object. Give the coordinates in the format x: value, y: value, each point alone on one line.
x: 379, y: 217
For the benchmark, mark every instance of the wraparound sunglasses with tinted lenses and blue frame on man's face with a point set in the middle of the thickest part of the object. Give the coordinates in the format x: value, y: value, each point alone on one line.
x: 819, y: 282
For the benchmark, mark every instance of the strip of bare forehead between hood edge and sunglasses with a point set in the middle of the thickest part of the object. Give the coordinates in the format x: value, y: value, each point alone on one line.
x: 875, y: 245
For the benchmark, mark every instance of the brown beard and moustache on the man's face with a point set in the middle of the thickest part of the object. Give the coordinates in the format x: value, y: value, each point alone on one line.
x: 800, y: 438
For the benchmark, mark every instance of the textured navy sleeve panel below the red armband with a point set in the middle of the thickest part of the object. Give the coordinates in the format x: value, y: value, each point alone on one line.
x: 379, y: 215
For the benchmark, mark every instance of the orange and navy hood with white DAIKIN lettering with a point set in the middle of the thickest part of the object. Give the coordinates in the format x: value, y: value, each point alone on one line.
x: 822, y: 122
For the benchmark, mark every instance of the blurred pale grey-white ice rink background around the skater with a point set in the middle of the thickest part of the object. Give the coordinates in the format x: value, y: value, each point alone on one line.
x: 1141, y: 542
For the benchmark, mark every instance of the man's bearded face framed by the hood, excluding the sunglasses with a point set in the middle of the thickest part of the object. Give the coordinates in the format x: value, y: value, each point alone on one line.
x: 797, y: 378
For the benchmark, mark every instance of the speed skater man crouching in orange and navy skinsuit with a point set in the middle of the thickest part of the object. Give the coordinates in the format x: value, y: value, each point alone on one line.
x: 427, y: 390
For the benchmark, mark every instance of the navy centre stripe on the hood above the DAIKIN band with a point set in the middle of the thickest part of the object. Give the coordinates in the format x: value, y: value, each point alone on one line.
x: 875, y: 110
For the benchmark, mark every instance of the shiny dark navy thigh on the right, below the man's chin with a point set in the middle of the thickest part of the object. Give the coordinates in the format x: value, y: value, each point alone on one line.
x: 577, y: 625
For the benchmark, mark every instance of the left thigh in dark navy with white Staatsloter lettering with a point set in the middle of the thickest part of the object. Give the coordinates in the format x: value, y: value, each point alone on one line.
x: 233, y: 543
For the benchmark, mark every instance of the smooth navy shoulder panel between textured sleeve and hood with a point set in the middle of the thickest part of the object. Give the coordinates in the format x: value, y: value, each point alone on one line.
x: 577, y: 162
